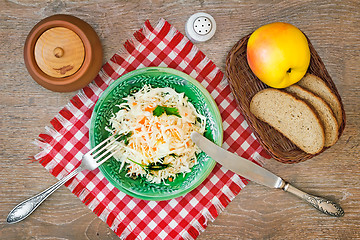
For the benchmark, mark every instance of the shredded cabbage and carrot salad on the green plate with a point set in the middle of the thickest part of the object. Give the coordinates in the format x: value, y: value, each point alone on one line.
x: 156, y: 147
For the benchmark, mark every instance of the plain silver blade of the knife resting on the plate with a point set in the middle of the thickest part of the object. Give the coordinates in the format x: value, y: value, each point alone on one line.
x: 237, y: 164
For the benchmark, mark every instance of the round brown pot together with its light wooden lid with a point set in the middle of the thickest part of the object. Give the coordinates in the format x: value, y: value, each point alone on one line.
x: 63, y: 53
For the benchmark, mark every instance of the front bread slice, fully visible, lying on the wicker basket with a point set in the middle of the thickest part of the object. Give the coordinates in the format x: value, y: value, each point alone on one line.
x: 290, y: 116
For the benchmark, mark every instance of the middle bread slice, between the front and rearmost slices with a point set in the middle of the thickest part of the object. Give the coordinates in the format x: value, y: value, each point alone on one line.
x: 323, y: 110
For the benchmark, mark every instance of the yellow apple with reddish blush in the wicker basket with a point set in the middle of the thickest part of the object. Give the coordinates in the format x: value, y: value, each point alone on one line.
x: 278, y: 54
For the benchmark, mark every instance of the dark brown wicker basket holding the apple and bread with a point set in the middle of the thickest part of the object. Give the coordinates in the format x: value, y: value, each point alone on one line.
x: 244, y: 85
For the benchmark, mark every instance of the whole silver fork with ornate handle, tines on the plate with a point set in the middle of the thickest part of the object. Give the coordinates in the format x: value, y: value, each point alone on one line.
x: 90, y: 161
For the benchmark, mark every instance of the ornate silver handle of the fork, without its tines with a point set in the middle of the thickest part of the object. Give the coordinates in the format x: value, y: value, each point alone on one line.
x: 25, y: 208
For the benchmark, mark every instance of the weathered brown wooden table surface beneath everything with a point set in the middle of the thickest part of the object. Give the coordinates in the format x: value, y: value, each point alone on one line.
x: 257, y: 212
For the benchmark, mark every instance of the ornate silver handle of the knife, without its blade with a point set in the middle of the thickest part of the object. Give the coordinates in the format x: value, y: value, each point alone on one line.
x: 323, y: 205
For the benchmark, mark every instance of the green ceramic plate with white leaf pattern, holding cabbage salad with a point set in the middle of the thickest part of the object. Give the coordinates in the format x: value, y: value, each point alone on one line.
x: 156, y: 77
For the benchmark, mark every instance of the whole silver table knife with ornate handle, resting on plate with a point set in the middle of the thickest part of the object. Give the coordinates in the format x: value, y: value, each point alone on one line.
x: 260, y: 175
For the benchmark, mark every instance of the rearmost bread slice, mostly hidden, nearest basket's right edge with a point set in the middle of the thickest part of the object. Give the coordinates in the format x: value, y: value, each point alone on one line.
x: 319, y: 87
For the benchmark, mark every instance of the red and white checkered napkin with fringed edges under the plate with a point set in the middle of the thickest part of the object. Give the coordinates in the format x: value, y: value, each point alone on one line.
x: 181, y: 218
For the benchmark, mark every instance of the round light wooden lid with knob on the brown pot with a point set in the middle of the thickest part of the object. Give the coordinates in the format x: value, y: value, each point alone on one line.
x: 59, y: 52
